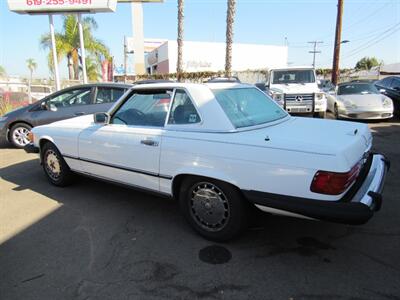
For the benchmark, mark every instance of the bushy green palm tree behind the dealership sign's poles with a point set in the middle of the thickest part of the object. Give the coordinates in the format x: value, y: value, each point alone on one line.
x: 67, y: 43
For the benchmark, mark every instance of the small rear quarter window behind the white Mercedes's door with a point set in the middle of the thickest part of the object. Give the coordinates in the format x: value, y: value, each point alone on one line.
x: 183, y: 111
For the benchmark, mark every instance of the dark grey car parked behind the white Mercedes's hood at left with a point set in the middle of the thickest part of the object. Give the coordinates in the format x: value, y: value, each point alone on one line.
x: 67, y: 103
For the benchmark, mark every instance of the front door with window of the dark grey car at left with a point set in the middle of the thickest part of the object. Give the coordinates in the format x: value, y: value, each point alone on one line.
x: 65, y: 105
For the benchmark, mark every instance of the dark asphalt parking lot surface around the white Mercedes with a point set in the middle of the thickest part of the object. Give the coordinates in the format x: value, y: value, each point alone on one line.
x: 95, y: 240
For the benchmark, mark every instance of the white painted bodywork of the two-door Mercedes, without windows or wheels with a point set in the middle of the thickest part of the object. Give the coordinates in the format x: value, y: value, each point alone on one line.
x: 280, y: 157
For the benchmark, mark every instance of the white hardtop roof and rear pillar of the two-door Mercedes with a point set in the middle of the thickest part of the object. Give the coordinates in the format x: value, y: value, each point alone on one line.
x: 213, y: 118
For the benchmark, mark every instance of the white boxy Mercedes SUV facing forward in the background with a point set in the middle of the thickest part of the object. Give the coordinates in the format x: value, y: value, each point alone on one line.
x: 296, y: 90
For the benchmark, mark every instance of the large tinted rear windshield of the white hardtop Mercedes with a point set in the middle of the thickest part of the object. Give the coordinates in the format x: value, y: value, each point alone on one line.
x: 248, y: 106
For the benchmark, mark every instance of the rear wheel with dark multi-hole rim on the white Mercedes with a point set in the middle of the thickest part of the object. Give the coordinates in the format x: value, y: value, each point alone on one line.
x: 228, y: 207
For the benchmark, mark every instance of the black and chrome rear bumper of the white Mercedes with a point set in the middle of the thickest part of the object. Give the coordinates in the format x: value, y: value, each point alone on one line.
x: 356, y: 207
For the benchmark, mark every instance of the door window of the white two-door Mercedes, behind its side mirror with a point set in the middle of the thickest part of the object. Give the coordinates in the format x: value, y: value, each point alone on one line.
x: 144, y: 108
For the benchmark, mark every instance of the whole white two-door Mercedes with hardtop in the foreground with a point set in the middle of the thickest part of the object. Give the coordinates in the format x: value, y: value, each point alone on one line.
x: 219, y: 148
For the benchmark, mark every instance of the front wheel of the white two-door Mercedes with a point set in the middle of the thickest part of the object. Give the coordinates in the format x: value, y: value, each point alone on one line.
x: 55, y: 168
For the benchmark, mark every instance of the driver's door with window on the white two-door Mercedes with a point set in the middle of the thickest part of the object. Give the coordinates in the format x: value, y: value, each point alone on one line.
x: 127, y: 150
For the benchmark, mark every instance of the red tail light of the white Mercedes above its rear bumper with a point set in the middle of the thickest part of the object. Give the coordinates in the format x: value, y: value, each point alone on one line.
x: 332, y: 183
